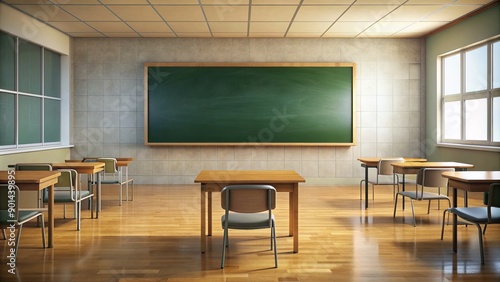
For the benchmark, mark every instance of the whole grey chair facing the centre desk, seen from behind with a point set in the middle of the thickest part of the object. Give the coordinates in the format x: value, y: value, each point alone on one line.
x: 248, y: 207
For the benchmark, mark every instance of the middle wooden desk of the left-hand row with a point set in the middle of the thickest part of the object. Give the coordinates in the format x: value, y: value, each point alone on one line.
x: 89, y: 168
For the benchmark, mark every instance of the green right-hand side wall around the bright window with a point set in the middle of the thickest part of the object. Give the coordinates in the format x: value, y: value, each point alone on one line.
x: 475, y: 29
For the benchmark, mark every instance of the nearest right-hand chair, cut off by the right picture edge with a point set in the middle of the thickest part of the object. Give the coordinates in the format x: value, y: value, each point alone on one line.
x: 480, y: 215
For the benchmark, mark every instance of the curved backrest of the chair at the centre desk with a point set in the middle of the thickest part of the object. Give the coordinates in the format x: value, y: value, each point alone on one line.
x: 248, y: 198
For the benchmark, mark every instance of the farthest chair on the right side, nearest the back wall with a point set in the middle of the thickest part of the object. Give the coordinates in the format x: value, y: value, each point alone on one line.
x: 385, y: 176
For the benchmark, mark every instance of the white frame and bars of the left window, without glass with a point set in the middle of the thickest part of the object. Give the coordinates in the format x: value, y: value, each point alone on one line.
x: 43, y: 96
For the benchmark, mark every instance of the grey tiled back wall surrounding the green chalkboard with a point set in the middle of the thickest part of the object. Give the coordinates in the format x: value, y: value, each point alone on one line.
x: 108, y: 105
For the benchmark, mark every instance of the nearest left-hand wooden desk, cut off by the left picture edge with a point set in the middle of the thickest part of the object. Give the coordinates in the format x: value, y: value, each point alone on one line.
x: 36, y: 181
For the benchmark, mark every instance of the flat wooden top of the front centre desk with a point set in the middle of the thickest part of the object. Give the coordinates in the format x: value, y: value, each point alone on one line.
x: 249, y: 176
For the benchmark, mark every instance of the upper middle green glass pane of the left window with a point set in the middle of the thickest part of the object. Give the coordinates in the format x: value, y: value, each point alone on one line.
x: 30, y: 64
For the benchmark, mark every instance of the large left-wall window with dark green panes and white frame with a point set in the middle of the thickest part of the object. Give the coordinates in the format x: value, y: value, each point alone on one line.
x: 30, y: 94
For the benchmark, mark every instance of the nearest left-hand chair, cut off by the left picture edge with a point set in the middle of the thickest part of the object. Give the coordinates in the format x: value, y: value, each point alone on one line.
x: 10, y: 215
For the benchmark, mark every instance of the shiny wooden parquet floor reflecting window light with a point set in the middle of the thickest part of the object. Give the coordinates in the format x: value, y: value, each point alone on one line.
x: 156, y: 238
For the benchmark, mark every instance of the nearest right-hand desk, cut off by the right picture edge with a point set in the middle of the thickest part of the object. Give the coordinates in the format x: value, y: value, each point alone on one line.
x: 469, y: 181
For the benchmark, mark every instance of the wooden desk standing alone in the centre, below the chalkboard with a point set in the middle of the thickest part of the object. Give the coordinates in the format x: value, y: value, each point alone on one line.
x: 282, y: 180
